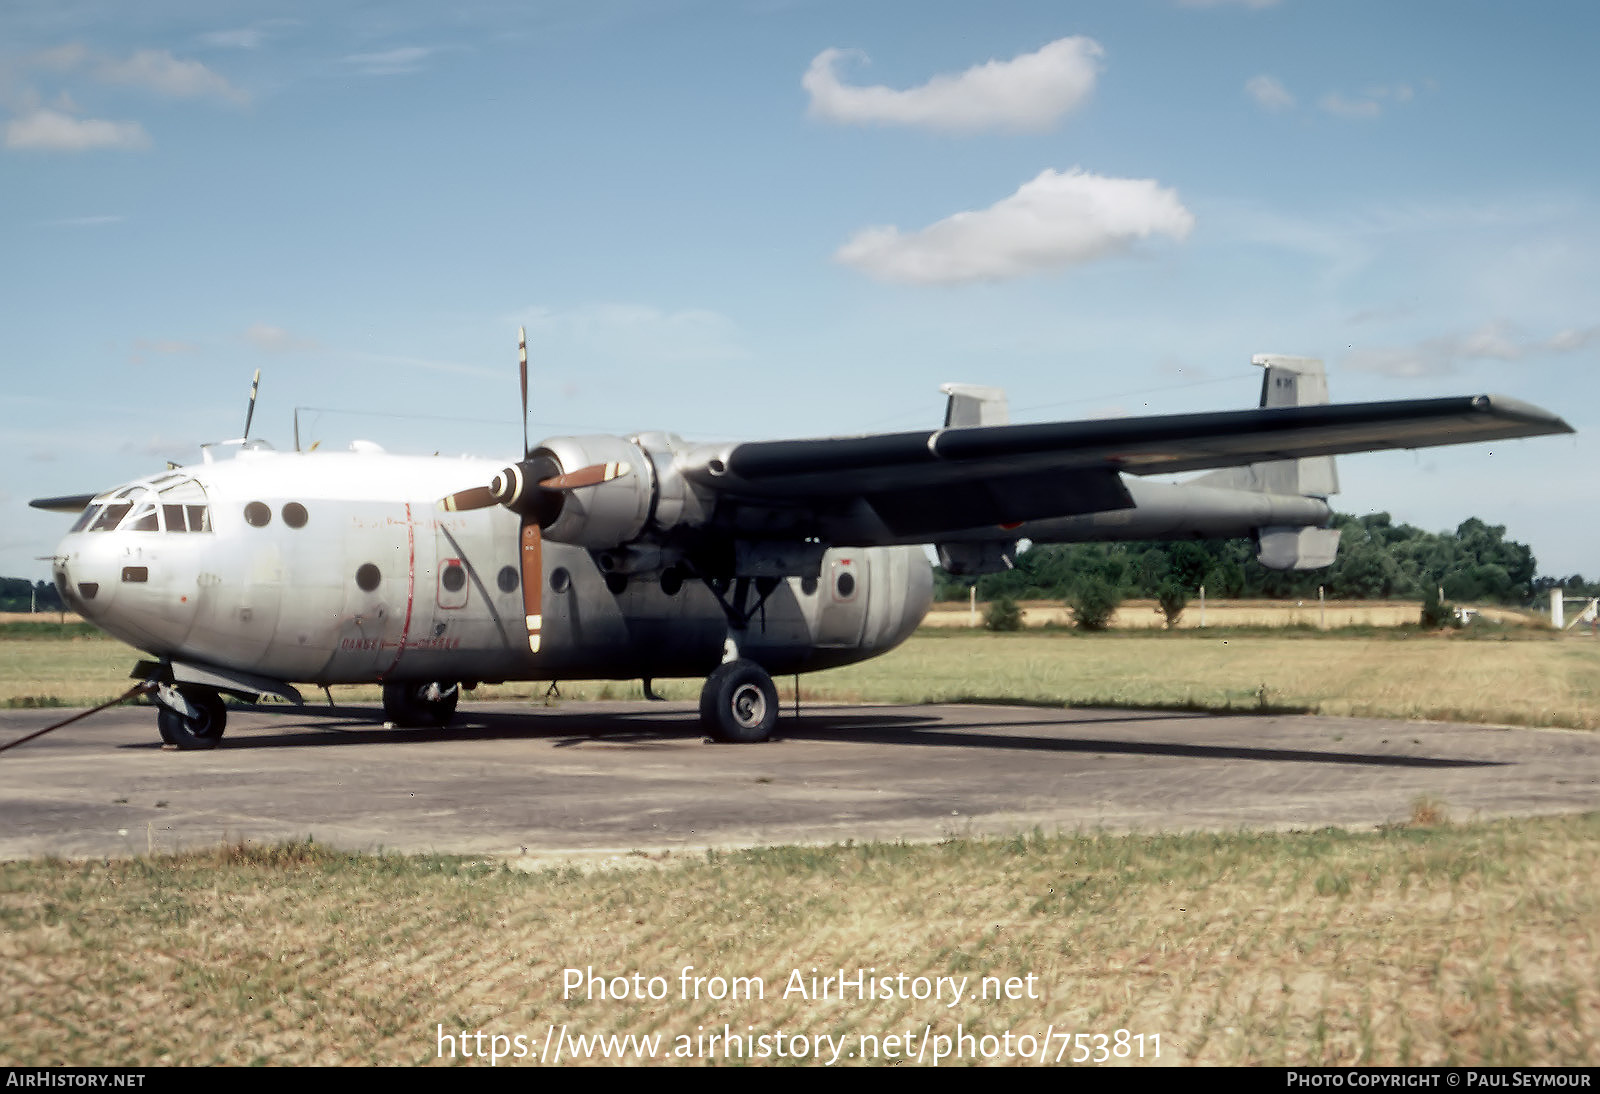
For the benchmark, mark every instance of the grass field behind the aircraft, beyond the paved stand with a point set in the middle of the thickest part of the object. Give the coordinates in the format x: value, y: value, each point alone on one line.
x: 1510, y: 676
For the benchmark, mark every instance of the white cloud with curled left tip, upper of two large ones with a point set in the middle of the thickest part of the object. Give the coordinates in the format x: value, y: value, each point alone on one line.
x: 1031, y: 92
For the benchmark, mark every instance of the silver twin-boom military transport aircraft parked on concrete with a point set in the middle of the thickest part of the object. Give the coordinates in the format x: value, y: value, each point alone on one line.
x: 646, y: 556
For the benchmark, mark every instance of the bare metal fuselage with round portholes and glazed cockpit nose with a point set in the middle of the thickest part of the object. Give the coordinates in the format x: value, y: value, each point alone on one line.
x: 342, y: 569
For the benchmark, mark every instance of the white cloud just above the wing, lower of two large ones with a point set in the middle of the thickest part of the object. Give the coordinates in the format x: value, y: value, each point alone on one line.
x: 1054, y: 222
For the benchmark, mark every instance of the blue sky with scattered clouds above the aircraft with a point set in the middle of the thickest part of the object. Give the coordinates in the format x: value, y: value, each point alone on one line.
x: 793, y: 220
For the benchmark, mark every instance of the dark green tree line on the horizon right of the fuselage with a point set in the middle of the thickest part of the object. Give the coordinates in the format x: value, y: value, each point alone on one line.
x: 1377, y: 561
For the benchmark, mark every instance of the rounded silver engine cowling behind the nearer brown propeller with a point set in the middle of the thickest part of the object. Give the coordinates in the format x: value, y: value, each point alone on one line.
x: 602, y: 516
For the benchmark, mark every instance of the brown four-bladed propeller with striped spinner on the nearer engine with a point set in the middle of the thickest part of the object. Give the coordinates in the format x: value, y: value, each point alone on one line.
x: 538, y: 506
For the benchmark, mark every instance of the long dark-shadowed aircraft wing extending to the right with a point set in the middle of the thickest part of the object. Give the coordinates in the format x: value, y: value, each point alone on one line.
x: 940, y: 481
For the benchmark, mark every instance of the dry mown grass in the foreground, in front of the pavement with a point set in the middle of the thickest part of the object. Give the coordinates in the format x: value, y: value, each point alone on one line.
x: 1425, y: 944
